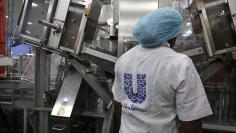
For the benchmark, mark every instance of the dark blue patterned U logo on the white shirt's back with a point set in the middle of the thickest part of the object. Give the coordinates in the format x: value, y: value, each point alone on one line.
x: 140, y: 96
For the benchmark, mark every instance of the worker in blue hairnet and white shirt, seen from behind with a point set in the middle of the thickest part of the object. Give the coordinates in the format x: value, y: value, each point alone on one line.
x: 156, y: 87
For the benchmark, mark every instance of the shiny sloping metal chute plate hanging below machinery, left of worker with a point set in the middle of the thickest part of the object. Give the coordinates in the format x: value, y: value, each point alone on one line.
x: 68, y: 93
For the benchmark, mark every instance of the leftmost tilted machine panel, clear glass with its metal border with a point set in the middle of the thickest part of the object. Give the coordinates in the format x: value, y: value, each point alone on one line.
x: 34, y: 10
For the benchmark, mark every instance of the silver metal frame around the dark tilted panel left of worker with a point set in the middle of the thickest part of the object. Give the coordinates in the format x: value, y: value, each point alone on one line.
x: 59, y: 19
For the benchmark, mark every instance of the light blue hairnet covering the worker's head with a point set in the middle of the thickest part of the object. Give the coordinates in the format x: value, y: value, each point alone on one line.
x: 158, y: 27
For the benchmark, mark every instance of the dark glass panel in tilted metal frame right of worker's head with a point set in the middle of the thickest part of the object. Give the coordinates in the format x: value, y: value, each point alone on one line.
x: 221, y: 26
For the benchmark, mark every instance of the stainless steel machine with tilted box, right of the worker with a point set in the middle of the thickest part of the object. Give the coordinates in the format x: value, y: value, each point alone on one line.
x: 208, y: 37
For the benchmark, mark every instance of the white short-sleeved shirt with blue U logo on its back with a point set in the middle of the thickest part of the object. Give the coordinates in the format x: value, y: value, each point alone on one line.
x: 155, y: 86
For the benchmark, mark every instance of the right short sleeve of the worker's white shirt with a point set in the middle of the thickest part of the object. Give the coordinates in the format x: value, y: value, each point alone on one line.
x: 191, y: 99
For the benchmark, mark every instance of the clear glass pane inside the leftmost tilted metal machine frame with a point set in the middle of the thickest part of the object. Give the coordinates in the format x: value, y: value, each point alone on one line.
x: 37, y: 9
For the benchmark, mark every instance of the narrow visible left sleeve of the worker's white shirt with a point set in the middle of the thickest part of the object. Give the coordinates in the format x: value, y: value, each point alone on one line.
x: 116, y: 88
